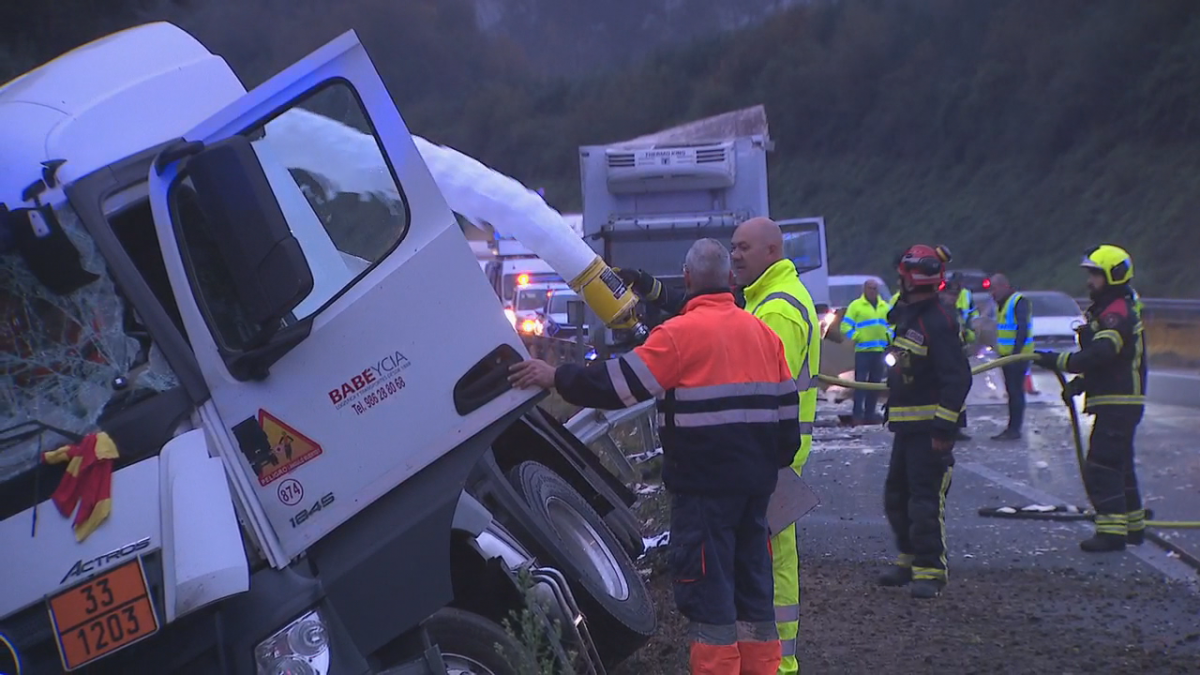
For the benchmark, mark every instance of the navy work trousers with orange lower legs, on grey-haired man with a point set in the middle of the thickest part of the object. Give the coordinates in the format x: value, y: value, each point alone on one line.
x: 722, y: 571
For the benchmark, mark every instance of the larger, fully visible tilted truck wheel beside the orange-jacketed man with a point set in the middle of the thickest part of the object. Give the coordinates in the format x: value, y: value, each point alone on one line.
x: 609, y: 589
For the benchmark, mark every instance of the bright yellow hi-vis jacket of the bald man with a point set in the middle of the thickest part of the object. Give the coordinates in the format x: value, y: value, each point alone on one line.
x: 783, y: 303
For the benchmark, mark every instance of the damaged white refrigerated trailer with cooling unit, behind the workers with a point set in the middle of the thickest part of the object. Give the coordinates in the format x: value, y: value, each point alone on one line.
x: 647, y: 200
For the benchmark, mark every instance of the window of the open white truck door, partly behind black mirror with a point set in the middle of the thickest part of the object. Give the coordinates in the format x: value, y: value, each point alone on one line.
x: 337, y: 190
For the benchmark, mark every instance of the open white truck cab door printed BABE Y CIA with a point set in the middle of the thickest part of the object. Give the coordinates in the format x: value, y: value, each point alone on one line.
x: 339, y: 315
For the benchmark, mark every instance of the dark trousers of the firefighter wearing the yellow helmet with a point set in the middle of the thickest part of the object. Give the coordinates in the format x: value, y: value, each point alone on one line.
x: 1109, y: 473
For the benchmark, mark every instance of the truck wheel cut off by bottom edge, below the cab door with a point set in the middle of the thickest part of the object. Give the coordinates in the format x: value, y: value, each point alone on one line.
x: 473, y: 646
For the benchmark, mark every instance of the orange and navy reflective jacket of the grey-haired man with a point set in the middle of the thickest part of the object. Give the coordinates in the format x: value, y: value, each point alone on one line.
x: 727, y: 401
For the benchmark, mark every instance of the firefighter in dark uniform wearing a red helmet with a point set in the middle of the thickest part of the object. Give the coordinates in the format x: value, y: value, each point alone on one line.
x: 929, y: 379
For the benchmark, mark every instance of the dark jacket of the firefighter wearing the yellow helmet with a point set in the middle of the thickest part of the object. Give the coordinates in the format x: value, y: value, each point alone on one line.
x: 1113, y: 353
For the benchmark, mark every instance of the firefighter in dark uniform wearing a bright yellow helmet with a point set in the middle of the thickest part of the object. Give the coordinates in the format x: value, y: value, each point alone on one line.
x: 1112, y: 368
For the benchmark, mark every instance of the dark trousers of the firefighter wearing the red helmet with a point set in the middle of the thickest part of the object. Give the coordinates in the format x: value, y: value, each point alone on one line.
x: 915, y: 501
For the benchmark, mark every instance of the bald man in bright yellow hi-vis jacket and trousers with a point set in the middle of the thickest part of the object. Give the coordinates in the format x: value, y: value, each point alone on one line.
x: 776, y: 295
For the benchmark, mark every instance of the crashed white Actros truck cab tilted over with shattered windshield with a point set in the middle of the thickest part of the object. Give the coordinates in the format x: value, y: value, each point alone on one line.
x: 218, y: 280
